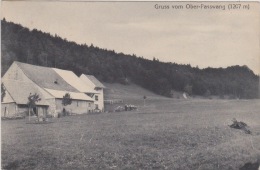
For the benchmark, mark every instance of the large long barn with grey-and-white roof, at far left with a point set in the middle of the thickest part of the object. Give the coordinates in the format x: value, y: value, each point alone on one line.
x: 50, y: 84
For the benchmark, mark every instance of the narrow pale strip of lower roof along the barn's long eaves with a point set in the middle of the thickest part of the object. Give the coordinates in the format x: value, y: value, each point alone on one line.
x: 74, y: 95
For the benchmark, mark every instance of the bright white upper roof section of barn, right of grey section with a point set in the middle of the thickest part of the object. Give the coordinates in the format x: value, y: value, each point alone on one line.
x: 74, y: 81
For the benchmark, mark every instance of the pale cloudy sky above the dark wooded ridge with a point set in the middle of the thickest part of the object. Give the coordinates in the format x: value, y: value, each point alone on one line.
x: 207, y: 38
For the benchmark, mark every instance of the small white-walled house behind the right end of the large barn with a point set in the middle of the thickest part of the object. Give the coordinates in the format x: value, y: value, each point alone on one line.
x: 96, y: 85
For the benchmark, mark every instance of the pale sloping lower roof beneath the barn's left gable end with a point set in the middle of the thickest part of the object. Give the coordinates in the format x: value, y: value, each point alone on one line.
x: 20, y: 91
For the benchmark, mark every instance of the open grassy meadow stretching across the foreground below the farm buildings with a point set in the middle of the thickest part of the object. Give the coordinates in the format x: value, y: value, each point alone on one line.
x: 165, y: 134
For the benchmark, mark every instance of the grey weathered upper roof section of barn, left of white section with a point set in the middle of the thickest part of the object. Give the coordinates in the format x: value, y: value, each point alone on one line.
x: 45, y: 77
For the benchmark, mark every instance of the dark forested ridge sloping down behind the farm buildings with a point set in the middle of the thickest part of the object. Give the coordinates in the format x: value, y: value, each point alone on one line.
x: 38, y: 48
